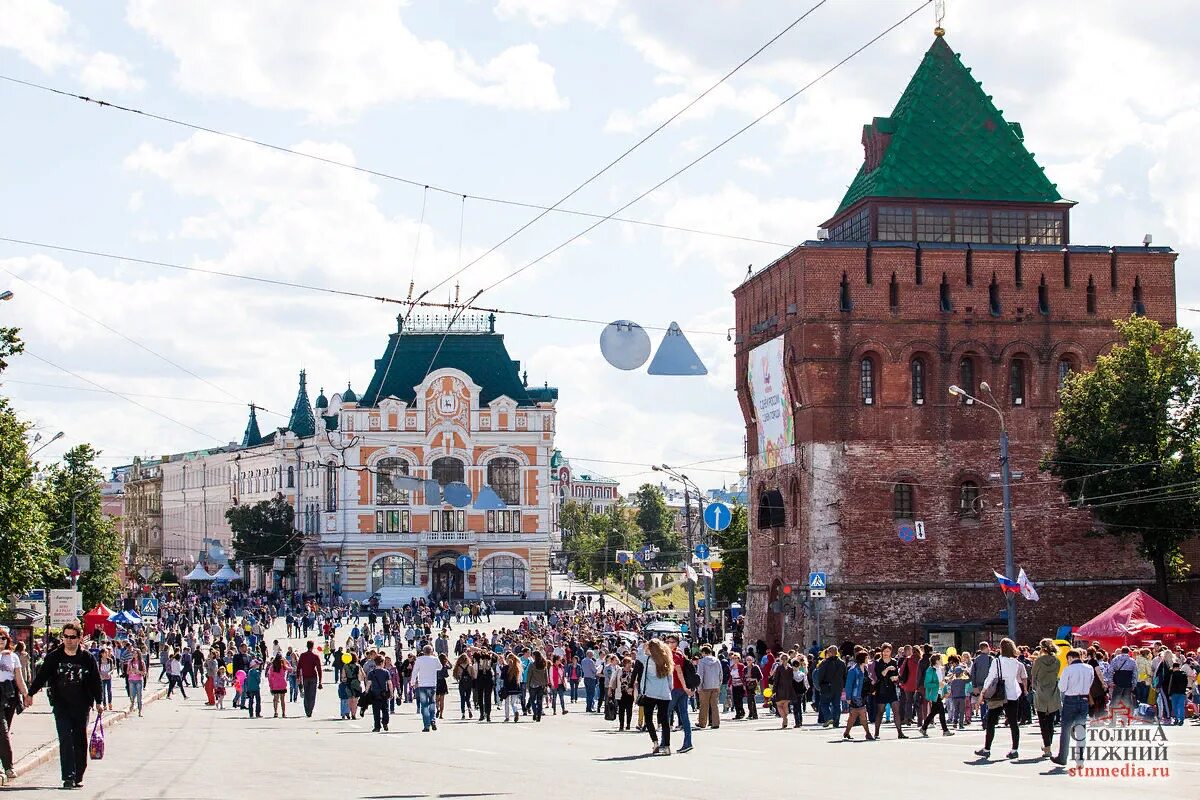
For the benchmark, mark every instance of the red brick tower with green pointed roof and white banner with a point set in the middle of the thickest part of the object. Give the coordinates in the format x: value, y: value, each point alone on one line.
x: 947, y: 263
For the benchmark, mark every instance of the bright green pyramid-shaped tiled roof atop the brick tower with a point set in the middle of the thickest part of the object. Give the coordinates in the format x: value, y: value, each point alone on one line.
x: 946, y: 141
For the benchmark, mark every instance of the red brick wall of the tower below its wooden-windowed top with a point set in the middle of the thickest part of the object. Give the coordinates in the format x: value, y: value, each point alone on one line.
x: 850, y: 455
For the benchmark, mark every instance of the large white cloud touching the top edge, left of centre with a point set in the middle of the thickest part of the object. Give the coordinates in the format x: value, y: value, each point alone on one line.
x: 333, y: 61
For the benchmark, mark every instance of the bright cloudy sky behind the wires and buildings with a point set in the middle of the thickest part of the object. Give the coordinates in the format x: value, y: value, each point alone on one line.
x: 517, y: 100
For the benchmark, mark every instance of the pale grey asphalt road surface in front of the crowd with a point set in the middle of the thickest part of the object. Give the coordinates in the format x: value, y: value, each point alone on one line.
x: 185, y: 750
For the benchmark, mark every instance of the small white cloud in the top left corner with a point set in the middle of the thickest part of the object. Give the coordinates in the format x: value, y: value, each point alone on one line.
x: 41, y: 33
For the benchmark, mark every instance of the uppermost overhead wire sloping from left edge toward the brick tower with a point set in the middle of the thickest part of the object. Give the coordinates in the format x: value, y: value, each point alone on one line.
x: 376, y: 173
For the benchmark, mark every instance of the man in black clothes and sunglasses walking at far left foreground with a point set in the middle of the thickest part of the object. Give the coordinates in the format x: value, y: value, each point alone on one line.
x: 73, y: 679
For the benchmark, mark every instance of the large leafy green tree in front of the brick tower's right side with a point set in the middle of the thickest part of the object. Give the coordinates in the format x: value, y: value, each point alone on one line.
x: 1127, y: 440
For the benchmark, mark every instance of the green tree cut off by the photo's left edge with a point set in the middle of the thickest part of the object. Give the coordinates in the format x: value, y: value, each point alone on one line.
x: 26, y: 550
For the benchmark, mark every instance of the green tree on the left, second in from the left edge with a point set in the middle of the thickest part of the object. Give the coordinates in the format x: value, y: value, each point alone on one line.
x: 79, y: 525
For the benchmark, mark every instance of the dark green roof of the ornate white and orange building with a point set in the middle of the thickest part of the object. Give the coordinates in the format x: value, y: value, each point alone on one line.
x: 410, y: 358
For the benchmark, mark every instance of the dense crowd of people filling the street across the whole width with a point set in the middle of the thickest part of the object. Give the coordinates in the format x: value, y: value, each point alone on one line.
x: 609, y: 661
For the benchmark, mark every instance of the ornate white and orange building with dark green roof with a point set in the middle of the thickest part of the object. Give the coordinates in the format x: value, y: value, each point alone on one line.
x: 447, y: 406
